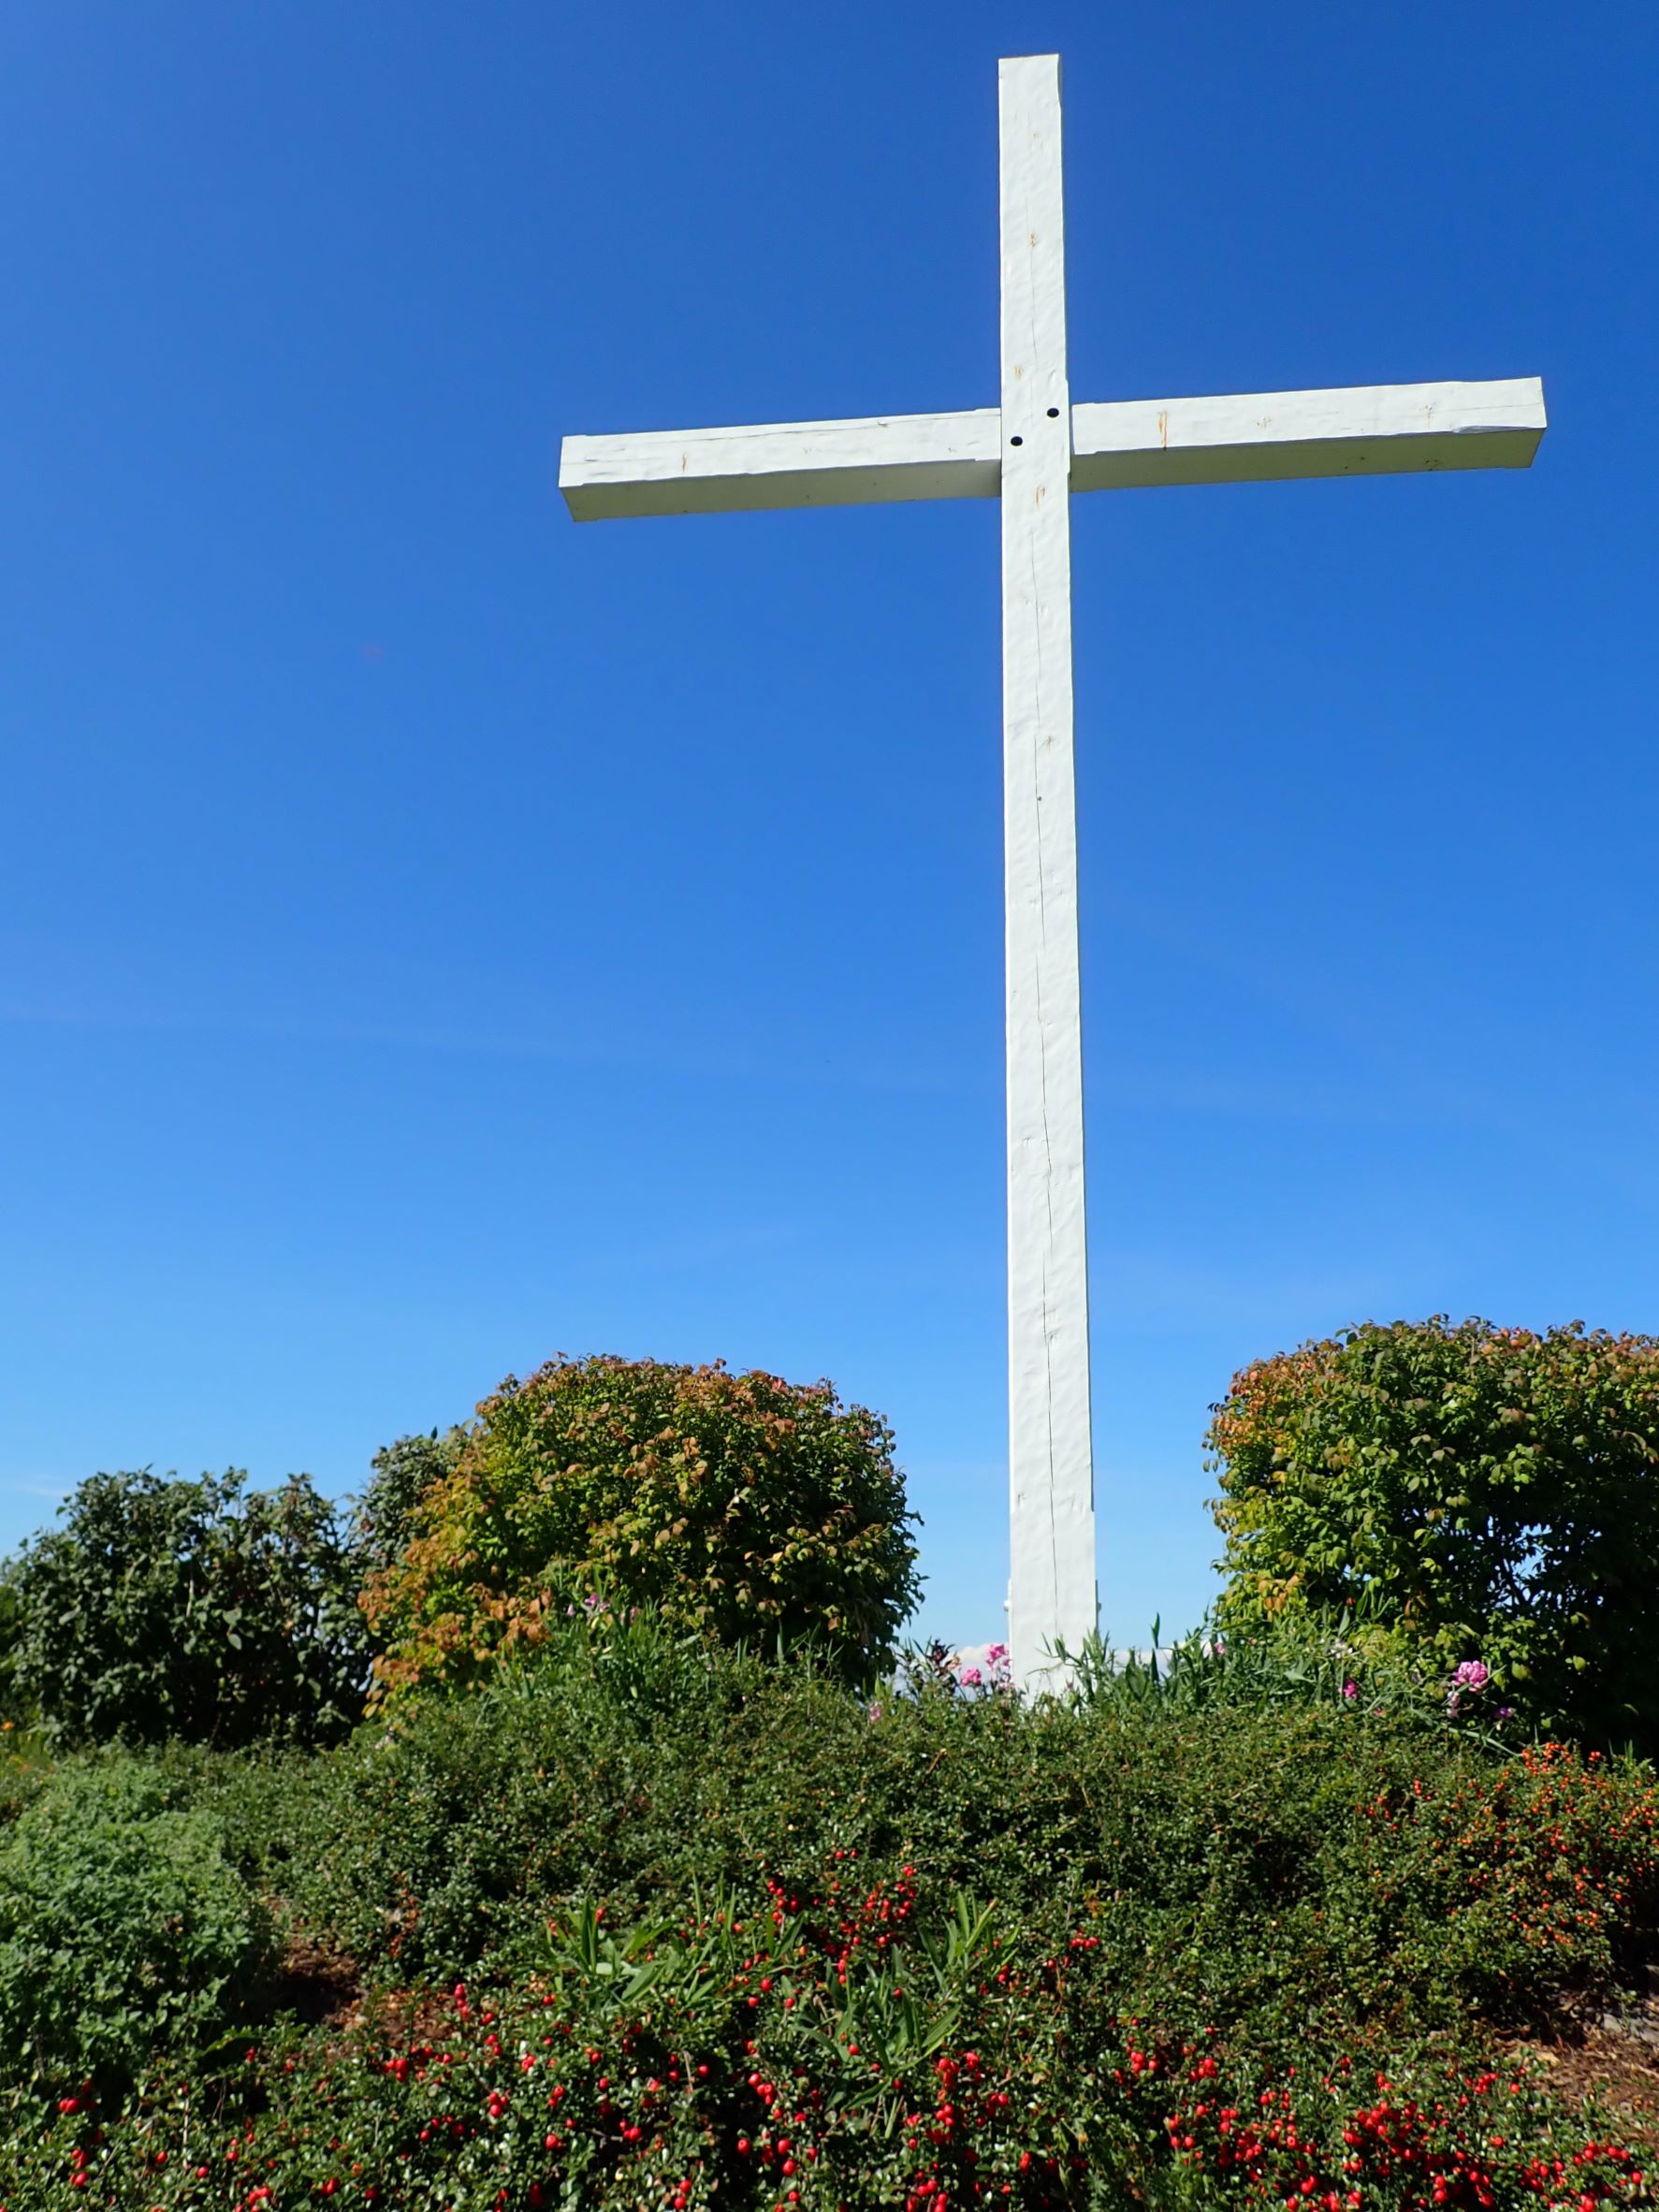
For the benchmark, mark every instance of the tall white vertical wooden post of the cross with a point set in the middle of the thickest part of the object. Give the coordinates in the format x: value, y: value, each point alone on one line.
x: 1052, y: 1483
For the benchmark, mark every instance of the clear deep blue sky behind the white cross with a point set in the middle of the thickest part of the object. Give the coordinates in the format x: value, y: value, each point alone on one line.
x: 437, y: 935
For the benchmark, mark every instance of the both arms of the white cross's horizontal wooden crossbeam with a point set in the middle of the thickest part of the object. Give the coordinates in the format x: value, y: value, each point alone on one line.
x: 1242, y: 439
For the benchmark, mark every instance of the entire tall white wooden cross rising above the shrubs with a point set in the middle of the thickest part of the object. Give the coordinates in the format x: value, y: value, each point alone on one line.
x: 1034, y: 450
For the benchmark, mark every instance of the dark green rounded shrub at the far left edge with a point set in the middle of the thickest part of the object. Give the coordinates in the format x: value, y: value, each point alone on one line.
x: 189, y: 1609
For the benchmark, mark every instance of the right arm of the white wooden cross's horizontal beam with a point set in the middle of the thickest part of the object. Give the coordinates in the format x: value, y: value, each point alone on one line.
x: 1253, y: 437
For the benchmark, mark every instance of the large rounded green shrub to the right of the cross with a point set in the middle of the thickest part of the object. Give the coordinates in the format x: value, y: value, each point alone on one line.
x: 1488, y: 1496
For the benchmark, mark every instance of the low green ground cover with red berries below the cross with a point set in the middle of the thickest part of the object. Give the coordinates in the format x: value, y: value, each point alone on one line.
x: 654, y: 1928
